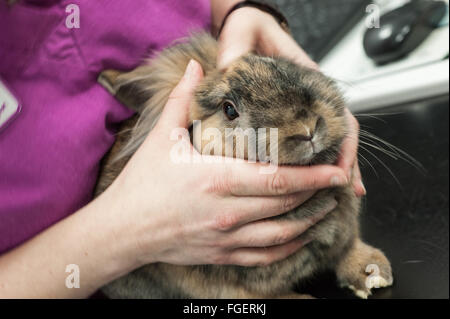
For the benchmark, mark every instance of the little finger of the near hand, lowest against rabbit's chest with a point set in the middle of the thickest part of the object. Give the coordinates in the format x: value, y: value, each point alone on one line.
x: 250, y: 257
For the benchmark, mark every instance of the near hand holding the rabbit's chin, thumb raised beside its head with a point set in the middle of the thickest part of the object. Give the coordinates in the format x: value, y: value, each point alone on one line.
x: 204, y: 213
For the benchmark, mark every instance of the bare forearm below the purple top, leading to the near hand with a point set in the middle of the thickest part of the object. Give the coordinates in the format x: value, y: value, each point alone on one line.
x: 89, y: 239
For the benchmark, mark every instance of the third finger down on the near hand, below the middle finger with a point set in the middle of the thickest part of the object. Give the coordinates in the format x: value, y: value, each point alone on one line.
x: 274, y: 232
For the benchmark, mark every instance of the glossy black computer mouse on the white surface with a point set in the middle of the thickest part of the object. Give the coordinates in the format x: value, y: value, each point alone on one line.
x: 403, y: 30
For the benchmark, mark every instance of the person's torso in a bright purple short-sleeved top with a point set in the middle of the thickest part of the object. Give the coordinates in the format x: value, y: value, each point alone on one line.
x: 50, y: 152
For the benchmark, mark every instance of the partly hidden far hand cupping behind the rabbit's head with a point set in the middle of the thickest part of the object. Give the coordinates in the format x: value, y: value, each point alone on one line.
x: 249, y: 29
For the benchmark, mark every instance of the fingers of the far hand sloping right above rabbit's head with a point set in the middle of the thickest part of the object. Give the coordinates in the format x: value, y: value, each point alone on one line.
x: 276, y: 42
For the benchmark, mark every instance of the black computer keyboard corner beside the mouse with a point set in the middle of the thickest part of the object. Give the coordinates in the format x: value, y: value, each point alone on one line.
x: 319, y: 24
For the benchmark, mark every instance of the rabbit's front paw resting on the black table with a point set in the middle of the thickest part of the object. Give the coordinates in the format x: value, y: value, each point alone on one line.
x: 363, y: 269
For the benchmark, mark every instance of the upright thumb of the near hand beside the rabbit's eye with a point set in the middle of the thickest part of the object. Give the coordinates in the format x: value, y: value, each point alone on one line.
x: 176, y: 111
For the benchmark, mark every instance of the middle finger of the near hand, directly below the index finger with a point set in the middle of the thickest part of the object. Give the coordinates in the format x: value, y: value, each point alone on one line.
x: 244, y: 210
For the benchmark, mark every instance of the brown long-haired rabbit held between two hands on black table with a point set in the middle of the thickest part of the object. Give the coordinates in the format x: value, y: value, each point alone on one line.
x: 255, y: 92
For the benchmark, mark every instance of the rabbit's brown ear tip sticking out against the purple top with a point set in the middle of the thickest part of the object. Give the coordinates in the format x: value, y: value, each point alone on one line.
x: 127, y: 87
